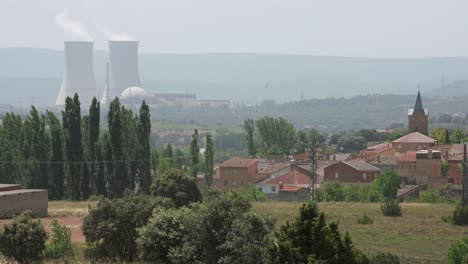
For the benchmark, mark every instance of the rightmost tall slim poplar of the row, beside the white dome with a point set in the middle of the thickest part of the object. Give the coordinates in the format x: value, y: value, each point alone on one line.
x: 145, y: 153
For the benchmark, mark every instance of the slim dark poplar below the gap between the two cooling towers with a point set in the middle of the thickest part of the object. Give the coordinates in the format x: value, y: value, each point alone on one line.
x: 93, y: 137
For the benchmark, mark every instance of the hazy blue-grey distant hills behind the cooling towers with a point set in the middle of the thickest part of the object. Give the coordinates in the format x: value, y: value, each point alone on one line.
x: 34, y: 75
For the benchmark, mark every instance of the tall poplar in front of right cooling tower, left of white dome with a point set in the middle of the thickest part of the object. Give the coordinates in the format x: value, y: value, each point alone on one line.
x: 119, y: 176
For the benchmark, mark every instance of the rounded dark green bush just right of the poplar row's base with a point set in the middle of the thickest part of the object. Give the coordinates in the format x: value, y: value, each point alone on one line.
x: 174, y: 184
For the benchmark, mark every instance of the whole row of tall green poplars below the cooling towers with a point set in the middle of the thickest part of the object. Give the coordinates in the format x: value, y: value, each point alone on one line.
x: 74, y: 157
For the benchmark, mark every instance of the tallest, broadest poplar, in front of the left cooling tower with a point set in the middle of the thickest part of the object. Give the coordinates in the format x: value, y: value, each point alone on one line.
x: 73, y: 144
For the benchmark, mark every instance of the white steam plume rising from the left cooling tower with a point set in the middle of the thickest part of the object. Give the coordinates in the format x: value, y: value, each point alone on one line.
x: 73, y: 30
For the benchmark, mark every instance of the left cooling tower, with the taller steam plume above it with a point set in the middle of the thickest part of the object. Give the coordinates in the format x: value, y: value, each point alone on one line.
x: 79, y: 74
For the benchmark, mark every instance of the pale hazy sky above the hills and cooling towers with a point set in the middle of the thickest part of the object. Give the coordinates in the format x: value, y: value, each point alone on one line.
x: 370, y: 28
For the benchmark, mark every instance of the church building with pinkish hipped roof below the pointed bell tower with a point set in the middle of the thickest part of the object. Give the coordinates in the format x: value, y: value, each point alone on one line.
x: 413, y: 142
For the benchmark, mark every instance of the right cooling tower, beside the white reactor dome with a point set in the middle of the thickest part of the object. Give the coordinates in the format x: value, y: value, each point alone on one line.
x: 123, y: 69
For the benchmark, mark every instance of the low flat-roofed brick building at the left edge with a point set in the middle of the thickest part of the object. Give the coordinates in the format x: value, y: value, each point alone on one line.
x: 14, y: 200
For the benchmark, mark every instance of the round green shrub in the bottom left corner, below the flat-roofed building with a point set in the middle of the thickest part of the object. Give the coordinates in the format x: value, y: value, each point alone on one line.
x: 23, y: 239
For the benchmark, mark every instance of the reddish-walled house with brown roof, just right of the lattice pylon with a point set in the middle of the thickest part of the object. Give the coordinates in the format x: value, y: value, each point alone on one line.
x: 351, y: 172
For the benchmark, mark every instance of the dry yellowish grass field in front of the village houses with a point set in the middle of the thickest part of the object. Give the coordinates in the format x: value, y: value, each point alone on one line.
x: 419, y: 236
